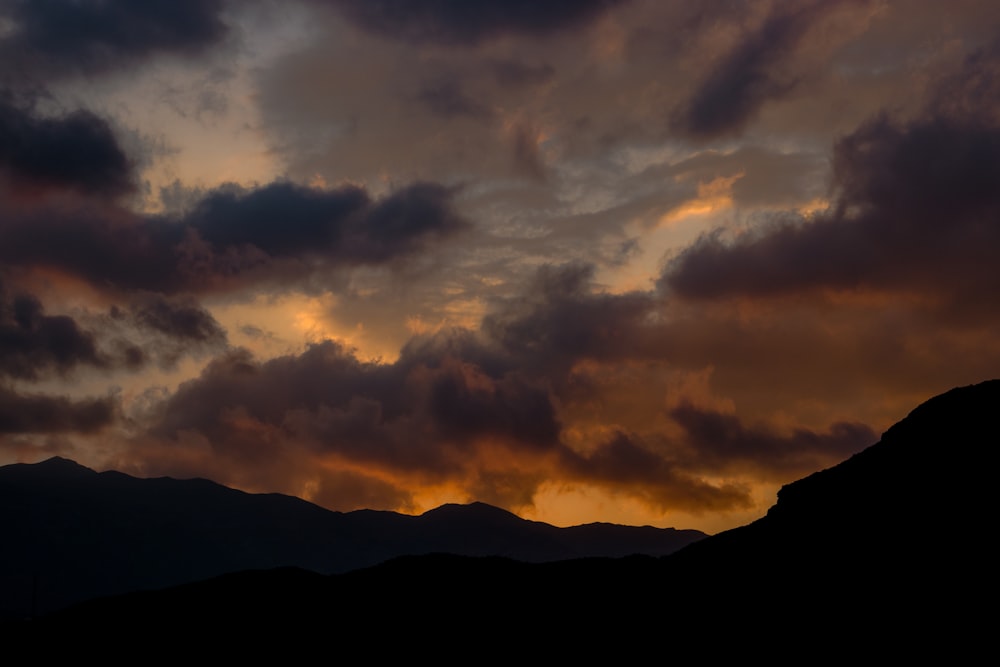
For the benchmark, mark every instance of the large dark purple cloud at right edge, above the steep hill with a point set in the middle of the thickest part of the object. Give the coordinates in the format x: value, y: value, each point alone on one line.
x: 916, y: 209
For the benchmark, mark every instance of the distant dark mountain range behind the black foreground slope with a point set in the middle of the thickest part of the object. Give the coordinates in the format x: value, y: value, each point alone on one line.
x: 70, y: 533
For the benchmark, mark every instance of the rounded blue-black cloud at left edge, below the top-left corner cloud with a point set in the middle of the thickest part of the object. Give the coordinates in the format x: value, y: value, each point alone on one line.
x: 77, y: 151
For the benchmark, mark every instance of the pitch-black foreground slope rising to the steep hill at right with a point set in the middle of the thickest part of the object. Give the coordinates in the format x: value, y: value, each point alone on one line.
x: 887, y: 556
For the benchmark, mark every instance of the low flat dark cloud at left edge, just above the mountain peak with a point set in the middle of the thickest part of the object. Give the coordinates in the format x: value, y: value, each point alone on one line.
x: 48, y: 414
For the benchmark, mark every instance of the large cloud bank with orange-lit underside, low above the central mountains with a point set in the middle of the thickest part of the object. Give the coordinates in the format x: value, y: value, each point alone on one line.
x: 497, y: 413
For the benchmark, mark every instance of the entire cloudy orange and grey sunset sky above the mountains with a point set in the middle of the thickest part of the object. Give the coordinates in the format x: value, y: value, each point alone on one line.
x: 588, y: 260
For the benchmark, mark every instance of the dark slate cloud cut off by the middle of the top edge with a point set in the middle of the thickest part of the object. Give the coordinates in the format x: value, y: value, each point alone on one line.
x: 466, y: 23
